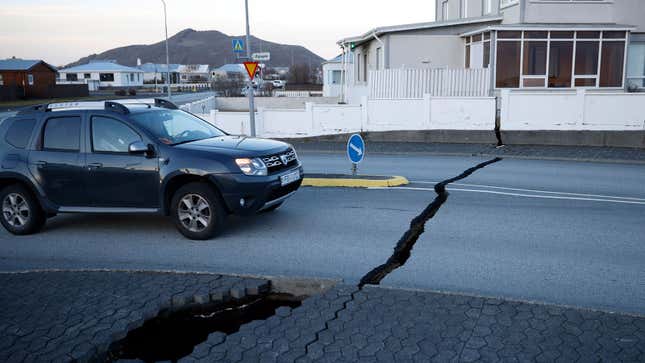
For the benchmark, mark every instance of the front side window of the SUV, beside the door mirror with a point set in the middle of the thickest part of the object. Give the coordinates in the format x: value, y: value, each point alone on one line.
x: 110, y: 135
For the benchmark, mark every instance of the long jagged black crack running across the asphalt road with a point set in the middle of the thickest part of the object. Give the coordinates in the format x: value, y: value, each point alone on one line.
x: 403, y: 248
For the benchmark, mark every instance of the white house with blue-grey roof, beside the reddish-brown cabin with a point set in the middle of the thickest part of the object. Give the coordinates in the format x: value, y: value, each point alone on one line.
x: 106, y: 73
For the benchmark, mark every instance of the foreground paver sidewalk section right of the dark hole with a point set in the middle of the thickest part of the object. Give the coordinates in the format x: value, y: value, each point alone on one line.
x: 376, y: 324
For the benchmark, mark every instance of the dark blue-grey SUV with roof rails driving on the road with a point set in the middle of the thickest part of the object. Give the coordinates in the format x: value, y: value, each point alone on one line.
x: 136, y: 156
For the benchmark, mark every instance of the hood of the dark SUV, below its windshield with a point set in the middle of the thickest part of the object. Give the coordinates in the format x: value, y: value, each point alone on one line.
x: 238, y: 144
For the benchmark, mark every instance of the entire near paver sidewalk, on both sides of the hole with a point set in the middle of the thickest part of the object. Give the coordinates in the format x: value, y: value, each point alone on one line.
x: 67, y: 316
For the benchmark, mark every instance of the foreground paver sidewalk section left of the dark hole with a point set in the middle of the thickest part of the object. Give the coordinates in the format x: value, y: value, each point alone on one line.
x: 66, y: 316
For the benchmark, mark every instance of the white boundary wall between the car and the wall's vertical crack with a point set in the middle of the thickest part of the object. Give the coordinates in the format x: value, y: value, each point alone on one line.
x: 428, y: 113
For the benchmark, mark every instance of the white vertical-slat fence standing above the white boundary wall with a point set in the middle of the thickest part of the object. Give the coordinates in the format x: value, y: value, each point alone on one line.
x: 414, y: 83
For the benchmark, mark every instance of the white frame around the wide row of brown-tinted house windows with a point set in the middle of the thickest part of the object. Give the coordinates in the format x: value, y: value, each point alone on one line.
x: 575, y: 39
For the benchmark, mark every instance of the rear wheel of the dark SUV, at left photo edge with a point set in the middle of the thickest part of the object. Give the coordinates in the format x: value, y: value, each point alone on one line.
x: 21, y: 212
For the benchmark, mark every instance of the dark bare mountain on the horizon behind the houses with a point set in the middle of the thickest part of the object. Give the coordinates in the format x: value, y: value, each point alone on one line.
x: 204, y: 47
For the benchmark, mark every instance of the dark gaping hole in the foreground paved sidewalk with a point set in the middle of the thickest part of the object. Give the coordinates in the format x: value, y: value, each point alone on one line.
x: 173, y: 335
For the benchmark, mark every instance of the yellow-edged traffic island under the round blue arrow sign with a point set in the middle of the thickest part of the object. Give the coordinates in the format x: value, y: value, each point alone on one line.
x: 349, y: 181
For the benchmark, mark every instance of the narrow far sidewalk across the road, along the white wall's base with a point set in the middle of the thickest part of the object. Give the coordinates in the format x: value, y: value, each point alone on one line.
x: 572, y: 153
